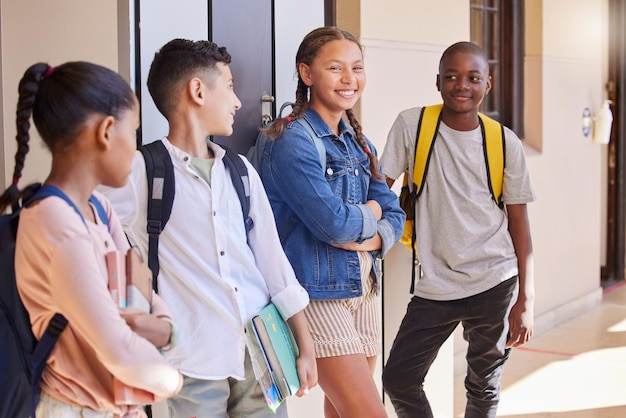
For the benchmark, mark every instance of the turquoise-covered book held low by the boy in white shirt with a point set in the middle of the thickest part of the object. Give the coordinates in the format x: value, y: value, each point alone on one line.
x: 276, y: 347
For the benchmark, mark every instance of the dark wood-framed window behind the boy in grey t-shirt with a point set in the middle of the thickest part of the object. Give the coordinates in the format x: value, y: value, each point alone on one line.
x: 498, y: 27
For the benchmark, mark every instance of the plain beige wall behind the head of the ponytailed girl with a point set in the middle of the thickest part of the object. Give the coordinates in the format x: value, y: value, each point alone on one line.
x: 52, y: 32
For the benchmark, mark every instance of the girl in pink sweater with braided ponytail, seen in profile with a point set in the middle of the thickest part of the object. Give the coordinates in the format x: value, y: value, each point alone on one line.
x: 86, y: 115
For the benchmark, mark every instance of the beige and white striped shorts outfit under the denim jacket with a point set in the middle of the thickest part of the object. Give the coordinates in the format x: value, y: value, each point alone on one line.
x: 347, y: 326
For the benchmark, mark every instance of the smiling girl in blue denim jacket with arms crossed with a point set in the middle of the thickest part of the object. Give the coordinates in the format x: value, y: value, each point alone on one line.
x: 335, y: 221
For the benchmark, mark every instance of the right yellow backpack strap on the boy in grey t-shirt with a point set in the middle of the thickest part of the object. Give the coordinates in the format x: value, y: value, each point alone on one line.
x: 493, y: 146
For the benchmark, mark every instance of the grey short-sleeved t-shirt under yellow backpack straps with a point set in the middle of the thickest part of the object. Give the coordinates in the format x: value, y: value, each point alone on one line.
x: 462, y: 236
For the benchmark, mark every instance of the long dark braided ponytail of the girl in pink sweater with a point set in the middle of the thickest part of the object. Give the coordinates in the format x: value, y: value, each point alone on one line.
x: 28, y: 88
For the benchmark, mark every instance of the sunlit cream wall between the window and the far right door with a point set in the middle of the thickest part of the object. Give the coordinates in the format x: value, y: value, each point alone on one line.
x: 567, y: 219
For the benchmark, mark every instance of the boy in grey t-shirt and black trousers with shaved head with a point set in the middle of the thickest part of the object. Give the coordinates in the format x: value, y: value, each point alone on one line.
x: 476, y: 258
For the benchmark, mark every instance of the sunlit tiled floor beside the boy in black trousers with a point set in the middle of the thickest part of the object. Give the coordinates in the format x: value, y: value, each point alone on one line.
x: 576, y: 370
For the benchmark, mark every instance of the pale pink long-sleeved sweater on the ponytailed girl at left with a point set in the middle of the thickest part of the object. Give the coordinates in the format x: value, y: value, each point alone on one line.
x: 60, y: 267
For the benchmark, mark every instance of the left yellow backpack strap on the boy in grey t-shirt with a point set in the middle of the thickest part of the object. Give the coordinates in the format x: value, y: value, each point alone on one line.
x: 427, y: 132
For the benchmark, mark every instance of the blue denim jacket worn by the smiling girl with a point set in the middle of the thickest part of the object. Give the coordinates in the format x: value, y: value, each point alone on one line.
x: 315, y: 207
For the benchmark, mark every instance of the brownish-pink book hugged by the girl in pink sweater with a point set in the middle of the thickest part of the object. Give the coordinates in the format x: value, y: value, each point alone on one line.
x: 130, y: 287
